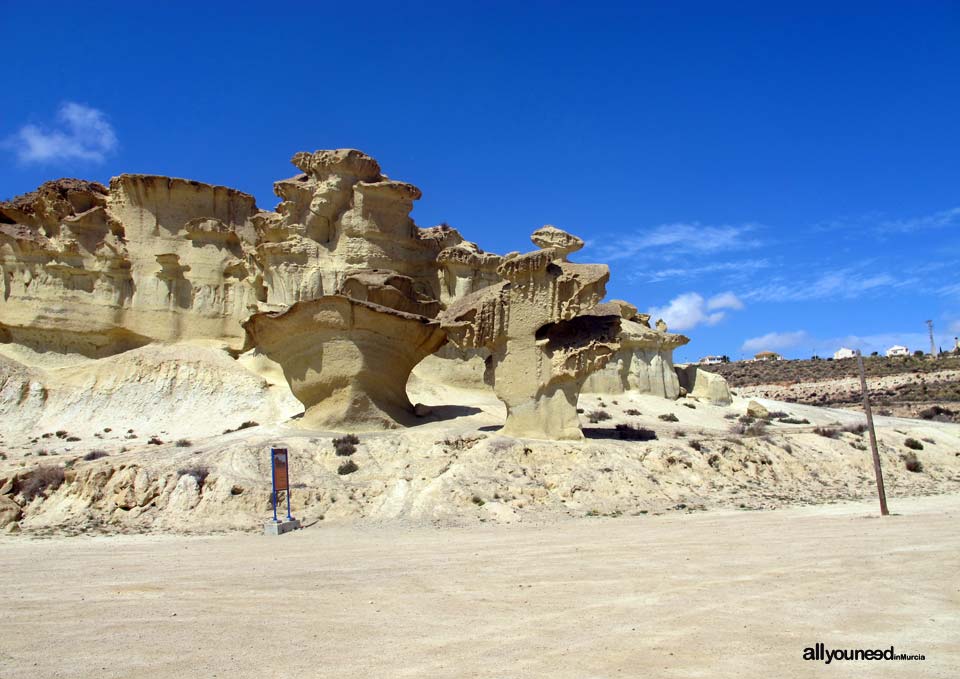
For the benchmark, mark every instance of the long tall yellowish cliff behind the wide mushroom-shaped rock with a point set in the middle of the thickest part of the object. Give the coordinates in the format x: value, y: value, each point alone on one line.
x: 97, y: 271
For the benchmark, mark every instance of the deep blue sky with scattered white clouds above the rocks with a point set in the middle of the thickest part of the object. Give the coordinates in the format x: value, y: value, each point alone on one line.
x: 766, y: 176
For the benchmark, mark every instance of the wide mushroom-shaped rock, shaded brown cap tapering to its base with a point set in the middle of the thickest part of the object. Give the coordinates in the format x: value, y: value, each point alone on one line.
x: 346, y: 360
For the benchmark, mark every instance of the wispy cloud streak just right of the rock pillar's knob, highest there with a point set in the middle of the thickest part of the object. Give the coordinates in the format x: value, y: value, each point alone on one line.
x: 678, y: 239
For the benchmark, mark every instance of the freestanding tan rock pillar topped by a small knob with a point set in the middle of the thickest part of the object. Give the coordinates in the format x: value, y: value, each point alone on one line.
x: 545, y: 331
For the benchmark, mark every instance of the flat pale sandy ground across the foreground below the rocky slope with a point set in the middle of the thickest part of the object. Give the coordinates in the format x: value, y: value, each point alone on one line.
x: 716, y: 594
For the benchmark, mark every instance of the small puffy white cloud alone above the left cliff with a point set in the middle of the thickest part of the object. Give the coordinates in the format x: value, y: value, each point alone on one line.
x: 82, y: 133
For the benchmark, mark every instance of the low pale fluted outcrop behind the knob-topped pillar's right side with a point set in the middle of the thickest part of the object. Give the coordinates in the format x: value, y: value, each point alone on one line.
x: 644, y: 362
